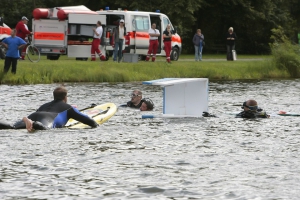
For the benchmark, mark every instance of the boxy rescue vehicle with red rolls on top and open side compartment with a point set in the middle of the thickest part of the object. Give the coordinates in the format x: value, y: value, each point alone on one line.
x: 65, y: 31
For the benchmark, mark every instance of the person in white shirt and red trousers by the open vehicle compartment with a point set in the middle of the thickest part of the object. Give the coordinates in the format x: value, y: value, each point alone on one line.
x: 96, y: 42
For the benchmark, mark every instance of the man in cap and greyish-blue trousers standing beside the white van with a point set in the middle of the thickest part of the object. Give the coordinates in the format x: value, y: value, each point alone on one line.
x: 118, y: 40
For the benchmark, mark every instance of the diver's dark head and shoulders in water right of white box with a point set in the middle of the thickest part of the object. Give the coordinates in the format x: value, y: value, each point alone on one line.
x: 251, y: 110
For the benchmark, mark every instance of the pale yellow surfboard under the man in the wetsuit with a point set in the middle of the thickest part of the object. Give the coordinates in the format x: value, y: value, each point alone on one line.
x: 100, y: 114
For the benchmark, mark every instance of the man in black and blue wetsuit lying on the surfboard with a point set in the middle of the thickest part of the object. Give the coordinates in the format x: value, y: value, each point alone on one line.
x: 54, y: 114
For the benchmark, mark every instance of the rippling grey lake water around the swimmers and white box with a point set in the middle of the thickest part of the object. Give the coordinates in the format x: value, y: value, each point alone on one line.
x: 132, y: 158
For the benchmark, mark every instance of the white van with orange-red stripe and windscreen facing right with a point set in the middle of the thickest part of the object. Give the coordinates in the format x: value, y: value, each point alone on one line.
x: 137, y: 26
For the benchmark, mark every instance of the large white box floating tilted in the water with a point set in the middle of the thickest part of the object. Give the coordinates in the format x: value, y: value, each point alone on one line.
x: 183, y: 96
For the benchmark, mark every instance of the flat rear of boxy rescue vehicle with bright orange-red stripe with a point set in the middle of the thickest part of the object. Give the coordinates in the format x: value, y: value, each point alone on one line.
x: 49, y: 35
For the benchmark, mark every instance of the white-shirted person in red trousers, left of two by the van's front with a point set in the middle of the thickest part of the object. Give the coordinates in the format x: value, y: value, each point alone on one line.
x: 153, y: 42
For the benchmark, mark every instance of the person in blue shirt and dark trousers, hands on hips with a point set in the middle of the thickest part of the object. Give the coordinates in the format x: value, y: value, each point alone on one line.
x: 13, y: 44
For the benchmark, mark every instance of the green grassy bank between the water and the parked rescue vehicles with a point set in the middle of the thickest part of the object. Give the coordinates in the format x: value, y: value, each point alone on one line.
x: 214, y: 67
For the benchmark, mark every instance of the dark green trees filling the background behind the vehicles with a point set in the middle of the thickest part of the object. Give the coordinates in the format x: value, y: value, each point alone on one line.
x: 252, y: 20
